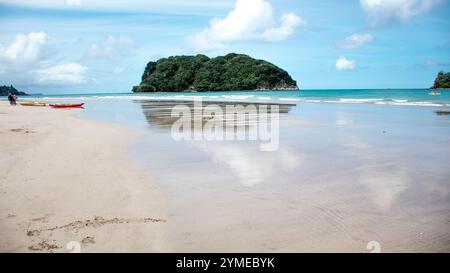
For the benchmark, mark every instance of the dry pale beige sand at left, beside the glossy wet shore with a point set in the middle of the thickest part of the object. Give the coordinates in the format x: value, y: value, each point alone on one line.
x: 67, y: 179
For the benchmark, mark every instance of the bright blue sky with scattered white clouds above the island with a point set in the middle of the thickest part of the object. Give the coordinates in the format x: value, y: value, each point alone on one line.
x: 97, y: 46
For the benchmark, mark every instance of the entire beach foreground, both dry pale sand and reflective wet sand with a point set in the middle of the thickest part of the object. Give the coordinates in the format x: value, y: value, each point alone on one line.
x: 343, y: 176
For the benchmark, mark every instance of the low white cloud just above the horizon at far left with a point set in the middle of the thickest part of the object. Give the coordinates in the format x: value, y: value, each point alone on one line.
x: 61, y: 73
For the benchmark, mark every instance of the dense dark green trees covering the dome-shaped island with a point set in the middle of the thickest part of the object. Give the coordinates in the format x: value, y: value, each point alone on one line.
x: 223, y: 73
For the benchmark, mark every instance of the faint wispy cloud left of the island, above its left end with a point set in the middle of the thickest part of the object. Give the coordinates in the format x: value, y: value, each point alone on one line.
x: 112, y: 47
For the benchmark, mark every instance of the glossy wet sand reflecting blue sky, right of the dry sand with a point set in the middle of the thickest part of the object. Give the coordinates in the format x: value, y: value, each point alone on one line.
x: 344, y: 174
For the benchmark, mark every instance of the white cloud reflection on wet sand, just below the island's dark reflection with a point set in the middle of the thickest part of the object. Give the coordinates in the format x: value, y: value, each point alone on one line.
x: 252, y: 166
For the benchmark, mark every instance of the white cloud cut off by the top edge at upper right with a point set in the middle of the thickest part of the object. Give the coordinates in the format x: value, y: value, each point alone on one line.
x: 384, y: 11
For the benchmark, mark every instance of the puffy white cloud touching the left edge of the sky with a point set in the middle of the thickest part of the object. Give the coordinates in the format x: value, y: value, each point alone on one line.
x: 24, y: 49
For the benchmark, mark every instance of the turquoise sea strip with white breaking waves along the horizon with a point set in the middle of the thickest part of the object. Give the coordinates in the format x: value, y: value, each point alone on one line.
x: 406, y: 97
